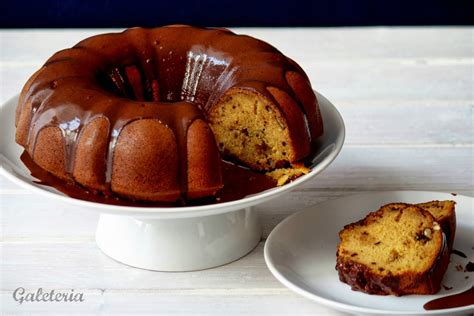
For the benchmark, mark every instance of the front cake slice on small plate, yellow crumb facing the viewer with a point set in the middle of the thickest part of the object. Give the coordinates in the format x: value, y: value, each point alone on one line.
x: 397, y: 250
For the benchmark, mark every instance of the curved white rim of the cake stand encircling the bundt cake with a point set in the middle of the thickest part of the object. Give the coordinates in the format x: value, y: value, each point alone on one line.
x: 6, y: 168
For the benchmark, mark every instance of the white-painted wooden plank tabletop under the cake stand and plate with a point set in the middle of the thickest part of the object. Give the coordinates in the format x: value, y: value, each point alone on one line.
x: 406, y: 95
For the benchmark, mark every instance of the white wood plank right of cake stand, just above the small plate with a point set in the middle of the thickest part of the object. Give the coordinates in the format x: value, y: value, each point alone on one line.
x: 386, y: 168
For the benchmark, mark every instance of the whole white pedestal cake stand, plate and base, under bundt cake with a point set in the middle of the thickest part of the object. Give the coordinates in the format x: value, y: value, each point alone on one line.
x: 180, y: 238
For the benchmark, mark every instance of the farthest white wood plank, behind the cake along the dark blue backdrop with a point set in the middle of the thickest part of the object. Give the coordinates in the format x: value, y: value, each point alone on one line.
x: 305, y: 43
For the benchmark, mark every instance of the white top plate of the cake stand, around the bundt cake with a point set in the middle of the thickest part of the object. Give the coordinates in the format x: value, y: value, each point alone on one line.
x: 330, y: 146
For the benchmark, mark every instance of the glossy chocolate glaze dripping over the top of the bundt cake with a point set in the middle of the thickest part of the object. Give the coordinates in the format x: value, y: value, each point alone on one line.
x: 169, y: 73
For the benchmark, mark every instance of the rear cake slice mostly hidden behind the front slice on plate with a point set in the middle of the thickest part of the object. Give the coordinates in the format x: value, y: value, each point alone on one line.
x: 443, y: 213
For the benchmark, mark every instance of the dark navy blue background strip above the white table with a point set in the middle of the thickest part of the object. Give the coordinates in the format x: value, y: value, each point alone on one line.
x: 109, y: 13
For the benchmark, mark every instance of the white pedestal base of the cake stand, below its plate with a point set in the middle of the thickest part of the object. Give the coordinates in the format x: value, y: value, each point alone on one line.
x: 179, y: 244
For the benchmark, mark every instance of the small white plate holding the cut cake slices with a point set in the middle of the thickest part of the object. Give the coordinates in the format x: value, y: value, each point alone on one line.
x: 301, y: 253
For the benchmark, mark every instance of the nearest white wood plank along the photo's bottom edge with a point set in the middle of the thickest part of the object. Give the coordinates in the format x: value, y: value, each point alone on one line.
x: 240, y: 302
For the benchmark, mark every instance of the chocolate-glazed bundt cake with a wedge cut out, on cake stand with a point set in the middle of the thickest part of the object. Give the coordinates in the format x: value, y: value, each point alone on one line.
x: 147, y: 114
